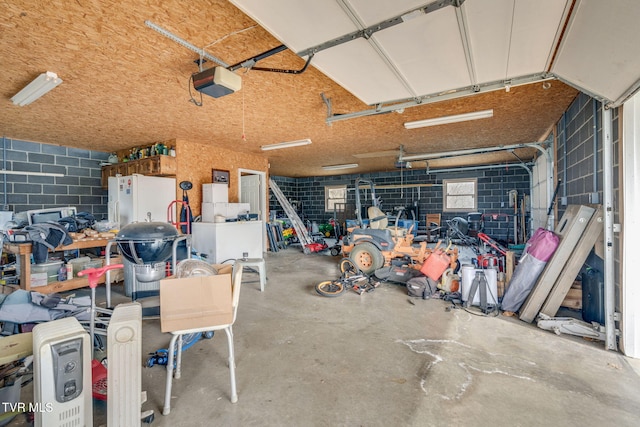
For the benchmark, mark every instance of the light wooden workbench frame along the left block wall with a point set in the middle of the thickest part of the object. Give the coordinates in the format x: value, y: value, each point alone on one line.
x: 23, y: 250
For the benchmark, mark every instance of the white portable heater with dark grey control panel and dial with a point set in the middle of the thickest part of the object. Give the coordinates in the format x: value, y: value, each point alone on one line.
x: 62, y: 374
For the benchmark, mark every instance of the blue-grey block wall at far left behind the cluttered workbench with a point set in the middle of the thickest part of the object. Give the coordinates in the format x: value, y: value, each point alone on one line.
x: 80, y: 185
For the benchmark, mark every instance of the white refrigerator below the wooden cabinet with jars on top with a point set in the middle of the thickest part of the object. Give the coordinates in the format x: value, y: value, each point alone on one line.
x: 138, y: 198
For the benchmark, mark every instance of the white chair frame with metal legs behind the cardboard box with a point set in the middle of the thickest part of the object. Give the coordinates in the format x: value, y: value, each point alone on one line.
x: 176, y: 337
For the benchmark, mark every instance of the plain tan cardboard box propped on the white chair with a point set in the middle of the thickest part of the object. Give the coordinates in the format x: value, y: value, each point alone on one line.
x: 195, y: 302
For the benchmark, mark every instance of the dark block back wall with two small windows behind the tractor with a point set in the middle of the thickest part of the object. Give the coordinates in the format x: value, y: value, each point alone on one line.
x: 493, y: 200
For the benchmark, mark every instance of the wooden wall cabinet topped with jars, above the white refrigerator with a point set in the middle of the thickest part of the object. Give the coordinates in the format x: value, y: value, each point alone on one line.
x: 155, y: 160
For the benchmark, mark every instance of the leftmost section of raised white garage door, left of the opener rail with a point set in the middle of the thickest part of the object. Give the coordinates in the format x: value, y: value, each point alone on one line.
x: 299, y: 24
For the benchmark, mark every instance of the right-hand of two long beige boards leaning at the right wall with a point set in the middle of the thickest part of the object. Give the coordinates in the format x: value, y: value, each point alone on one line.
x: 571, y: 269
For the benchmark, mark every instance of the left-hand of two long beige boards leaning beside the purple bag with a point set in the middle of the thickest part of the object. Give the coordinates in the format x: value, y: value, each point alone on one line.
x: 570, y: 229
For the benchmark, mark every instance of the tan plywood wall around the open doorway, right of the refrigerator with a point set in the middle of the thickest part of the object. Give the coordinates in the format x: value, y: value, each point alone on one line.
x: 196, y: 160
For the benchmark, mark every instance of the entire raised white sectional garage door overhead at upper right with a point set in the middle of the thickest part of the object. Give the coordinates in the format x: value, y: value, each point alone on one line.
x: 599, y: 52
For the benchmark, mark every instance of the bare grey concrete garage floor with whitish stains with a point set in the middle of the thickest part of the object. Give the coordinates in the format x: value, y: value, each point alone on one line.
x: 380, y: 359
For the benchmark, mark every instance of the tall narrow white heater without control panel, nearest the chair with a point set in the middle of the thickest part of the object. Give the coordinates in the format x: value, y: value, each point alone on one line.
x: 124, y: 355
